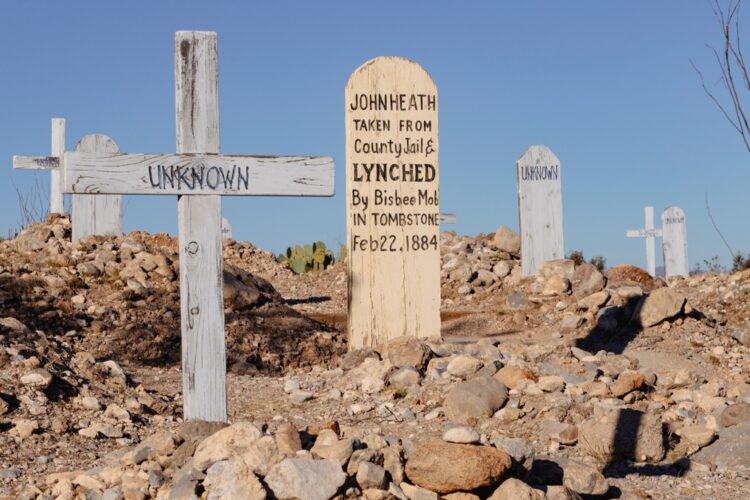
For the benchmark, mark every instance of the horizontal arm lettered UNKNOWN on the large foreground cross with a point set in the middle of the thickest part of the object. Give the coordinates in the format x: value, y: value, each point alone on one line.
x: 190, y: 174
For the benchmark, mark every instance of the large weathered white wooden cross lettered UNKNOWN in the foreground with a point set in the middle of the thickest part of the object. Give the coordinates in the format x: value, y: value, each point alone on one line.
x: 199, y: 176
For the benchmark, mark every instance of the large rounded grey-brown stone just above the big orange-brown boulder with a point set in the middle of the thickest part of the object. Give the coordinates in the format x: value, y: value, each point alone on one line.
x: 475, y: 399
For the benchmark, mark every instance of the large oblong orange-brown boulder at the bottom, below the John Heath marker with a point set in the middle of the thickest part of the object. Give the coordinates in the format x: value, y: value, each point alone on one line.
x: 447, y: 467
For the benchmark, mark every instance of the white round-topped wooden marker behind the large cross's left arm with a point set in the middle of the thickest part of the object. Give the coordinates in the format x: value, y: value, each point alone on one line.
x: 94, y: 214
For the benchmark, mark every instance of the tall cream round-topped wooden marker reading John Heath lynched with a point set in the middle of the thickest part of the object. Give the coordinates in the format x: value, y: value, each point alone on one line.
x: 392, y: 201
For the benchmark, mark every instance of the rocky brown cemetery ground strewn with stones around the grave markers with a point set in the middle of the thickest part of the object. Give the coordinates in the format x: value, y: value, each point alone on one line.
x: 567, y: 385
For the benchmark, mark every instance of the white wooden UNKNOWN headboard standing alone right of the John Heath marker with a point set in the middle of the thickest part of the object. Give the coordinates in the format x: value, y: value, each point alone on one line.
x: 538, y: 176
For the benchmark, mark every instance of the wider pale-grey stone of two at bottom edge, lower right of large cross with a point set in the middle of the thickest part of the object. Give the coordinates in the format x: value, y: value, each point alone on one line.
x: 296, y: 478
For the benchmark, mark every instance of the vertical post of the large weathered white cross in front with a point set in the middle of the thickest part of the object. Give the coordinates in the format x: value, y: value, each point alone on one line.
x: 201, y: 260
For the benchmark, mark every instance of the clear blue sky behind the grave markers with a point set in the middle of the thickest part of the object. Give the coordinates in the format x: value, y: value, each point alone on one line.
x: 606, y: 85
